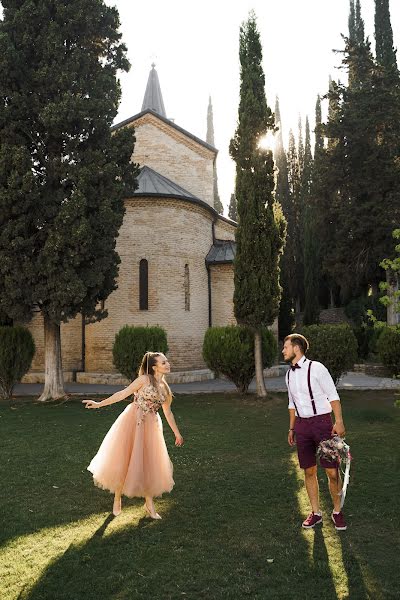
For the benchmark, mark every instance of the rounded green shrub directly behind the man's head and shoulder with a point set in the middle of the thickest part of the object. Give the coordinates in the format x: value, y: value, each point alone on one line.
x: 333, y: 345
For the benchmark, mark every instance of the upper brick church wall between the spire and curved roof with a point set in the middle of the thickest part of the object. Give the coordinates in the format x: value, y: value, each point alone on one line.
x: 175, y: 156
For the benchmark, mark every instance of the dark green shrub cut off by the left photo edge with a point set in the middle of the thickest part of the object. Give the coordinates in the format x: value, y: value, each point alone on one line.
x: 17, y: 350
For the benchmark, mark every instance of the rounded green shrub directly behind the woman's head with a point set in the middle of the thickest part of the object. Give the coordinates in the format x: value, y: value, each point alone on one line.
x: 130, y: 345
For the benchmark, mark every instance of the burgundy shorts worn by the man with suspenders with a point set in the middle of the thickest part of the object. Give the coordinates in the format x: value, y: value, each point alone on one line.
x: 309, y: 433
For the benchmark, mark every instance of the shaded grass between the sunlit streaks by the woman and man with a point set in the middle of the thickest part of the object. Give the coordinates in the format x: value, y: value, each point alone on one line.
x: 232, y: 529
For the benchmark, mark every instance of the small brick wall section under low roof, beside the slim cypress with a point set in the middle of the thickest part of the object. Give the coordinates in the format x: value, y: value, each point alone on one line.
x: 222, y: 288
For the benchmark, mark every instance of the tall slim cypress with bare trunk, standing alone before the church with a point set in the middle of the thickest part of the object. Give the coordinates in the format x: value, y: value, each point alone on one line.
x: 260, y: 231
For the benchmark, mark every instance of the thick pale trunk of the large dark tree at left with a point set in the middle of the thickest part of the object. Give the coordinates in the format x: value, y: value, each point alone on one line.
x: 54, y: 381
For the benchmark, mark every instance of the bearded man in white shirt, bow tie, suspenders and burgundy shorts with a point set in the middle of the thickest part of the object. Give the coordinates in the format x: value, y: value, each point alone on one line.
x: 312, y: 398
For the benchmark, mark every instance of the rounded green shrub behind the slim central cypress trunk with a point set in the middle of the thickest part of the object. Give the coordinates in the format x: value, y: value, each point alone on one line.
x: 230, y: 351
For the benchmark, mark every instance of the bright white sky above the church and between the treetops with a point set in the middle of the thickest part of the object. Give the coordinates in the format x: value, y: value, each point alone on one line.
x: 195, y: 48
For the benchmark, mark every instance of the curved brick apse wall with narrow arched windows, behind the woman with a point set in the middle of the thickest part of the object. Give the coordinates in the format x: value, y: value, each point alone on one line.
x: 169, y: 234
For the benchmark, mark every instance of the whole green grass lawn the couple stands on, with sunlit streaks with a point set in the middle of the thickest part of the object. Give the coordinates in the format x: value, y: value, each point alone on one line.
x: 231, y: 528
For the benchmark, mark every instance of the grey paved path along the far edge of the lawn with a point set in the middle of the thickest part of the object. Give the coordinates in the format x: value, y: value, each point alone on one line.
x: 351, y: 381
